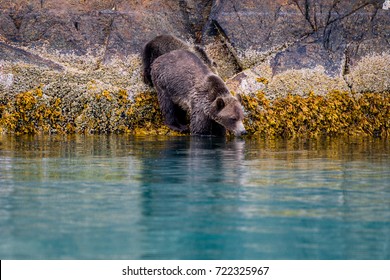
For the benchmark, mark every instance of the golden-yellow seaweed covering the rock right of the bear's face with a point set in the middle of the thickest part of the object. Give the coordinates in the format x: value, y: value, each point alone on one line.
x: 334, y: 114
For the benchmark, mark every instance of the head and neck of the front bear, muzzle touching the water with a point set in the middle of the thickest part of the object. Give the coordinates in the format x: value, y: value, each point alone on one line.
x: 225, y: 108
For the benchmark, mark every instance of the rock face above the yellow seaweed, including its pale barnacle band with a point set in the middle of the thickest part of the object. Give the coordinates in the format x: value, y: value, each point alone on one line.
x: 73, y: 48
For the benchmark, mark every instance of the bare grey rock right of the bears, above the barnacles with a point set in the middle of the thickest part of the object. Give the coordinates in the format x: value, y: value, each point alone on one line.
x: 299, y: 34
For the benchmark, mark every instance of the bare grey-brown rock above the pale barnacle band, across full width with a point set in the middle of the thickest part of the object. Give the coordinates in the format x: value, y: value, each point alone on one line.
x: 333, y: 36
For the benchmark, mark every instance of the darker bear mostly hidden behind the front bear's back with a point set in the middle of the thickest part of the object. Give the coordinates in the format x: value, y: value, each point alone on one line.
x: 164, y: 44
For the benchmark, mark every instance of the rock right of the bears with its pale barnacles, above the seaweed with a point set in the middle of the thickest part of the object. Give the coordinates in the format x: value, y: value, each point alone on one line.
x: 304, y: 45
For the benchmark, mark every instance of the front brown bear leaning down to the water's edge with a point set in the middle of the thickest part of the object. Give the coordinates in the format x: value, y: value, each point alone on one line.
x: 185, y: 85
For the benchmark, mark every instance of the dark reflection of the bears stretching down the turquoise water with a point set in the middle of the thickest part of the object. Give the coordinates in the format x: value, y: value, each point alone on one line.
x: 186, y: 185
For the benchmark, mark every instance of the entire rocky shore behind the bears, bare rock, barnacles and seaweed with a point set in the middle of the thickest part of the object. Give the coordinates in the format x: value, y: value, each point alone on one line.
x: 74, y: 66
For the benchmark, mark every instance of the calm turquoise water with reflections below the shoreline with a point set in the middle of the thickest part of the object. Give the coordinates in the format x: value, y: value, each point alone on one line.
x: 118, y: 197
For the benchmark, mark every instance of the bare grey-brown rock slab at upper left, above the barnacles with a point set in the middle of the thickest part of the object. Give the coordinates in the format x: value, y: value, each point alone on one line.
x: 106, y: 28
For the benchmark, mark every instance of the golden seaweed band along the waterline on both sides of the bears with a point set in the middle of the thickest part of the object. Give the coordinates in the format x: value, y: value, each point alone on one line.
x: 338, y: 113
